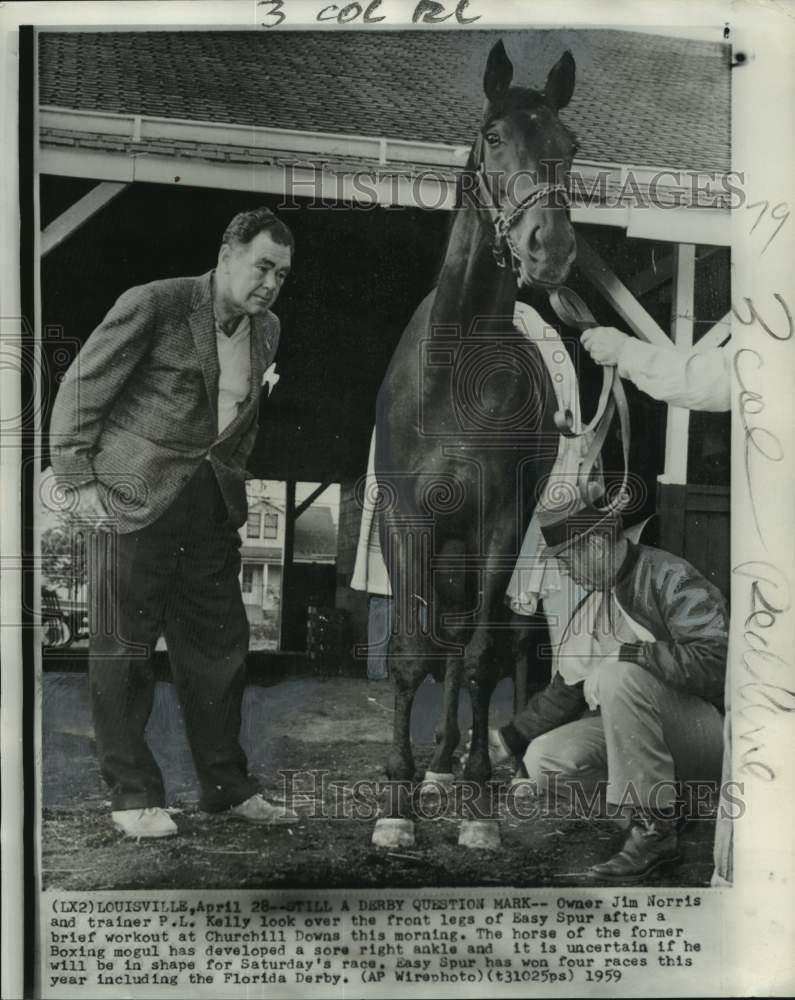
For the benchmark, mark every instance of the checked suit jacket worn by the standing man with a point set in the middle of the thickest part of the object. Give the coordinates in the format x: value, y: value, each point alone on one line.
x: 138, y: 408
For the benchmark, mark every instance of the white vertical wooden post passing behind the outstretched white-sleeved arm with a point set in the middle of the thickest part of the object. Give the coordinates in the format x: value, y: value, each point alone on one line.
x: 678, y: 423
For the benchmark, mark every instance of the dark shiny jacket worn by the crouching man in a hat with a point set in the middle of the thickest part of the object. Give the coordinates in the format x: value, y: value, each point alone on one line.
x: 684, y: 612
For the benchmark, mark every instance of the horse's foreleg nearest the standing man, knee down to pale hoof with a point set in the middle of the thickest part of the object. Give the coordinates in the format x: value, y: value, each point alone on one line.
x: 395, y: 827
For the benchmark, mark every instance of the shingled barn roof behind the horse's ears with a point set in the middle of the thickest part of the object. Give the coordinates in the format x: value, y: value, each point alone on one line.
x: 640, y: 99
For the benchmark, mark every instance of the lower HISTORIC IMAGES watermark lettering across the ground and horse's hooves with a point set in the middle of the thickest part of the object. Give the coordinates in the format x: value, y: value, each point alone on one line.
x: 315, y: 796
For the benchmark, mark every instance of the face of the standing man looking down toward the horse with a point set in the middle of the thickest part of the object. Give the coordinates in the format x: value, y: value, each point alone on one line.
x: 251, y: 275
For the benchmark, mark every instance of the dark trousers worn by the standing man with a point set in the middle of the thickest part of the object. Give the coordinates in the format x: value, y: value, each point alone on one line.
x: 177, y: 577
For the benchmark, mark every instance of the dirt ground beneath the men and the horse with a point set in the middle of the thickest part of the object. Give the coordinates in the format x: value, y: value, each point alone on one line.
x: 339, y: 726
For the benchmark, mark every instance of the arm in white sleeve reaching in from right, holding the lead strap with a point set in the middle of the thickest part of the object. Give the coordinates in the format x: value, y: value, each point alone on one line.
x: 695, y: 380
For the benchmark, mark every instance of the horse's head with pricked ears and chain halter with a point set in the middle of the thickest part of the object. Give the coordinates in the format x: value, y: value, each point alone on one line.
x: 525, y: 155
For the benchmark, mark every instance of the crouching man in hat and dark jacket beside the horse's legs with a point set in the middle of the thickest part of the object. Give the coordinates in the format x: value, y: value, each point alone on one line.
x: 636, y: 695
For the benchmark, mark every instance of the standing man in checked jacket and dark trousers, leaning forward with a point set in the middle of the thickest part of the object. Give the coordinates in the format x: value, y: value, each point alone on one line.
x: 151, y: 430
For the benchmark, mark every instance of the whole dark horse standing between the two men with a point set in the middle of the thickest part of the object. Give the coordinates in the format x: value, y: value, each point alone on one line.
x: 465, y: 433
